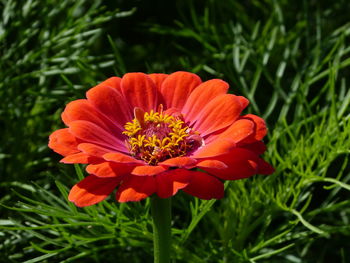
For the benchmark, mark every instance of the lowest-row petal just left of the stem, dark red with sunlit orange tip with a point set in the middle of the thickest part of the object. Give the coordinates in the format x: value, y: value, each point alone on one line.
x: 136, y: 188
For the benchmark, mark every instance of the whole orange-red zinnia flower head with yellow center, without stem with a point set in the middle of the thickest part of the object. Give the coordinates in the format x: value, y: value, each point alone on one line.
x: 156, y: 134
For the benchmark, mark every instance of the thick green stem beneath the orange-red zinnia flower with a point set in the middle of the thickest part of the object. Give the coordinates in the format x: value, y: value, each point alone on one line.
x: 161, y: 213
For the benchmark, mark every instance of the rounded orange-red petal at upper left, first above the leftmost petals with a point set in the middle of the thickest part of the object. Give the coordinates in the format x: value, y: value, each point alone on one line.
x: 83, y: 110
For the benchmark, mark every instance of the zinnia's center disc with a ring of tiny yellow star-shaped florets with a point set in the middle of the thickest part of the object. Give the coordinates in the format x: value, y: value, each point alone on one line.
x: 156, y: 136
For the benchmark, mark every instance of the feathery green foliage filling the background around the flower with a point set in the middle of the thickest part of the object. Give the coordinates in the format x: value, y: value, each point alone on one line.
x: 291, y: 60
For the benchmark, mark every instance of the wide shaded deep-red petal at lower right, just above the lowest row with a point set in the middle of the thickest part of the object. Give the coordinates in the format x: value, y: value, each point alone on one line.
x: 241, y: 163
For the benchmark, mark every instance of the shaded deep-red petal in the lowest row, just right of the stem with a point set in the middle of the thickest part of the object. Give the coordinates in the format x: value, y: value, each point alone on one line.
x: 205, y: 186
